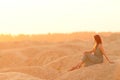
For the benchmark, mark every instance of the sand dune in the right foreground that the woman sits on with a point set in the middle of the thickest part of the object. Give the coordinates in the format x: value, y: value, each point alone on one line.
x: 96, y: 72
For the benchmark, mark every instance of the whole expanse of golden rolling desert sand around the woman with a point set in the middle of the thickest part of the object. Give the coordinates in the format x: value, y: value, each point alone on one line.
x: 48, y: 57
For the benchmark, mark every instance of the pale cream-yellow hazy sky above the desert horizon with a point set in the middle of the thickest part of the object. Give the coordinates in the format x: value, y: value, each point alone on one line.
x: 59, y: 16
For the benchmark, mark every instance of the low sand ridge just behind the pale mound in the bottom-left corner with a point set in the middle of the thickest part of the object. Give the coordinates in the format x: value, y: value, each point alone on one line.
x: 36, y: 71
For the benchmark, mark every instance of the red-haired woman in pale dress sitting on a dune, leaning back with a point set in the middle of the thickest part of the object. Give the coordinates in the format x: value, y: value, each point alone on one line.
x: 94, y: 56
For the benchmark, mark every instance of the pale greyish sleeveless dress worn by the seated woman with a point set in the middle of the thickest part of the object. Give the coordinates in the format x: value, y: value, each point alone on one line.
x: 90, y: 59
